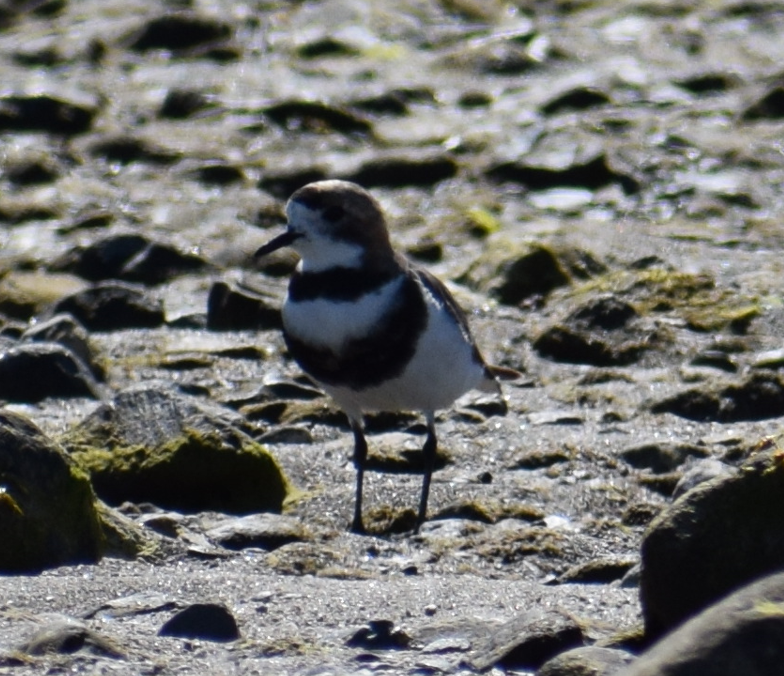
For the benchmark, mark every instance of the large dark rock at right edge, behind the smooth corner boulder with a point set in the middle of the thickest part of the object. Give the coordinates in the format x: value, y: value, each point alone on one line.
x: 722, y: 534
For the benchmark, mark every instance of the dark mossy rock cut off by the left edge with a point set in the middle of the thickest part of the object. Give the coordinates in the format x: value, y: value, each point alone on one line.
x: 47, y: 507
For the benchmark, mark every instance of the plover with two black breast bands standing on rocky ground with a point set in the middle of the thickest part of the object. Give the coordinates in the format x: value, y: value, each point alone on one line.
x: 376, y: 332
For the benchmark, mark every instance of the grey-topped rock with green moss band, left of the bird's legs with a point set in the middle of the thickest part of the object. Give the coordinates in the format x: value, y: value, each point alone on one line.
x: 154, y: 445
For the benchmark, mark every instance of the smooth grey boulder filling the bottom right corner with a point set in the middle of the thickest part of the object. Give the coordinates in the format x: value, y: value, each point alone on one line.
x: 742, y: 636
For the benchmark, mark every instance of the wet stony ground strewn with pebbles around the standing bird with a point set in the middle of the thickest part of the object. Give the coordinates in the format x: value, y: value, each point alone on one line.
x: 600, y: 183
